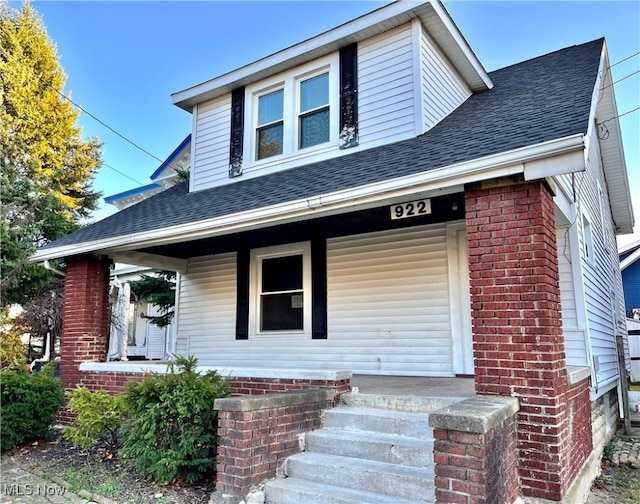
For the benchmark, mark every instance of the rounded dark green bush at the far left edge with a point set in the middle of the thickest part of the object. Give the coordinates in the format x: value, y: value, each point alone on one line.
x: 29, y: 402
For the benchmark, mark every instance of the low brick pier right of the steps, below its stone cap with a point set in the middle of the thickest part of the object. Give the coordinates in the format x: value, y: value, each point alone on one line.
x: 476, y: 468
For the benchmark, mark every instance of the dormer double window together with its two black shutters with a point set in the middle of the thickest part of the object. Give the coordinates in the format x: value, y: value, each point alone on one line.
x: 309, y: 109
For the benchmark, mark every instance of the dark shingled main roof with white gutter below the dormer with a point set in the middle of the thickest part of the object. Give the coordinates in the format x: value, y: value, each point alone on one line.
x: 536, y: 108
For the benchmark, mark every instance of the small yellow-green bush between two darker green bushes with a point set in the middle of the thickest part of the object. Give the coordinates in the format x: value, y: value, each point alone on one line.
x: 99, y: 416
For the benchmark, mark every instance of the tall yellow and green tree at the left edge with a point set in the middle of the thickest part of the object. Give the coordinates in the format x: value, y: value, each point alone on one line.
x: 46, y: 167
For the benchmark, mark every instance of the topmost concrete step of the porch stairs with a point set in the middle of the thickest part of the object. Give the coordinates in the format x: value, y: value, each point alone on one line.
x: 415, y: 404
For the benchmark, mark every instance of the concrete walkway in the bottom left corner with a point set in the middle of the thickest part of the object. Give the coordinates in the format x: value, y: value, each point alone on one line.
x: 18, y: 486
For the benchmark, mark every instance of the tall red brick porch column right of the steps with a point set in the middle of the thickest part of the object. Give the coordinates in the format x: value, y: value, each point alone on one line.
x: 518, y: 344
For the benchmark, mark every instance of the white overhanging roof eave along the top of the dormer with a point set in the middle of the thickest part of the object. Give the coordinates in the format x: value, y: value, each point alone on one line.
x: 432, y: 14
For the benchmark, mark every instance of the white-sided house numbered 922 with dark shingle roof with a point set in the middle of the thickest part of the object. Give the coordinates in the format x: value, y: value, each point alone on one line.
x: 373, y: 200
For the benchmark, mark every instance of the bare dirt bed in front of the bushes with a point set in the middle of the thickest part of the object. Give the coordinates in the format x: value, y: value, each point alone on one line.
x: 97, y: 472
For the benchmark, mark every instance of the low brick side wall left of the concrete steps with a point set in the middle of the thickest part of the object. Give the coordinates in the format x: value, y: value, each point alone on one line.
x: 257, y: 434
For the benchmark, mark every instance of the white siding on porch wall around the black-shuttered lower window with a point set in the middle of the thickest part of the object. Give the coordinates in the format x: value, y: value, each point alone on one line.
x: 388, y: 310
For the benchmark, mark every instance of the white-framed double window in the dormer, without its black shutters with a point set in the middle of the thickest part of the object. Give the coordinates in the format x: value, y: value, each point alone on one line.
x: 293, y: 112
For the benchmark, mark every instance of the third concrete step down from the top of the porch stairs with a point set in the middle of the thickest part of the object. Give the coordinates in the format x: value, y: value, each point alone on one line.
x: 388, y: 448
